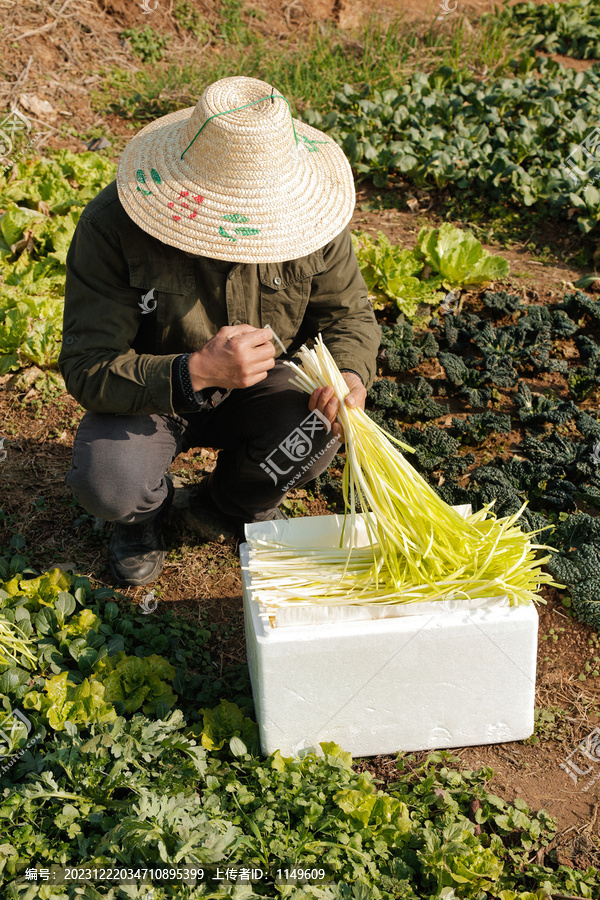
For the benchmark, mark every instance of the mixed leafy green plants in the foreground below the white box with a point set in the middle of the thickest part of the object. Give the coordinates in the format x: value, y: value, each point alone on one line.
x: 122, y: 768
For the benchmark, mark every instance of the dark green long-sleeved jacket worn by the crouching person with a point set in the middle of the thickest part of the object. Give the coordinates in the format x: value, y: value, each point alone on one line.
x: 118, y: 359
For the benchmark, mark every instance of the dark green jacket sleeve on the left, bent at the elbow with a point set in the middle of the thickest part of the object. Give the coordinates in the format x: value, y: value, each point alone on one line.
x: 102, y: 317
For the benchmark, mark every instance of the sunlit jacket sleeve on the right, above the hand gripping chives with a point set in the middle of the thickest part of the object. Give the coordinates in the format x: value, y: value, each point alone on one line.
x: 339, y: 308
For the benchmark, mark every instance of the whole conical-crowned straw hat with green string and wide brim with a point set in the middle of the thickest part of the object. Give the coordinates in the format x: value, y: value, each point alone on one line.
x: 237, y: 178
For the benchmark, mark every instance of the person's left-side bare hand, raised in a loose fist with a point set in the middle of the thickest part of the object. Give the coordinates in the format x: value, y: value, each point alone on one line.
x: 238, y: 356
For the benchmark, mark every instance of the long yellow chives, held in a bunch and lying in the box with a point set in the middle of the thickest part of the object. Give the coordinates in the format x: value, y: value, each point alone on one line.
x: 421, y: 548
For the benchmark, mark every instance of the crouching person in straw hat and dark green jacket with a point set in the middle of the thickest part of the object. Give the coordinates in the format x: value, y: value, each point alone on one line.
x: 226, y: 226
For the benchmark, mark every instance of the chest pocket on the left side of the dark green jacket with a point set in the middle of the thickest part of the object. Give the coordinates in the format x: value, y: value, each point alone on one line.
x: 169, y: 322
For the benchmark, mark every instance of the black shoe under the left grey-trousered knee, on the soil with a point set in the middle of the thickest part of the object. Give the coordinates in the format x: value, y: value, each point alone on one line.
x: 137, y: 552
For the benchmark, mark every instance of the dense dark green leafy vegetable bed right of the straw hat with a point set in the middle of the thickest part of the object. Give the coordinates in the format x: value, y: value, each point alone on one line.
x: 507, y: 139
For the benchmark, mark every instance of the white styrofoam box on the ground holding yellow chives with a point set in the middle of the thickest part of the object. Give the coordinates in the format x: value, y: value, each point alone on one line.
x: 412, y: 682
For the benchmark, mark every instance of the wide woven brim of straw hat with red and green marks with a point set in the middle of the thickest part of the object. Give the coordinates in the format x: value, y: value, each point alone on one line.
x: 240, y: 215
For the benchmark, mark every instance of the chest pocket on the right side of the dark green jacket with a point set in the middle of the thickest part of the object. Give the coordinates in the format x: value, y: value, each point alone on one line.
x: 285, y: 292
